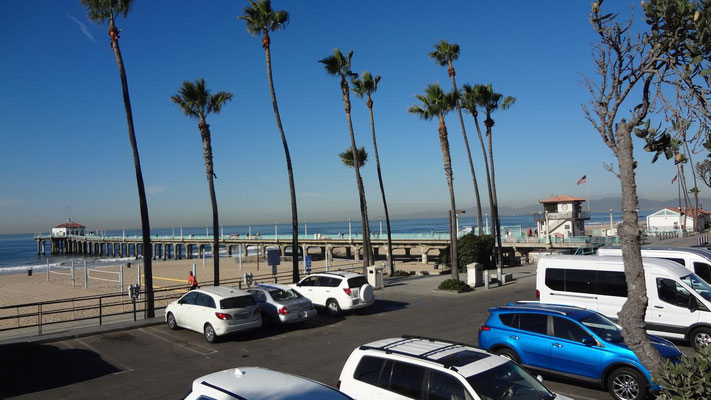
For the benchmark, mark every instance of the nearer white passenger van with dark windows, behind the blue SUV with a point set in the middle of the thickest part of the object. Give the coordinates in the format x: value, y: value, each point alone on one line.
x: 679, y: 301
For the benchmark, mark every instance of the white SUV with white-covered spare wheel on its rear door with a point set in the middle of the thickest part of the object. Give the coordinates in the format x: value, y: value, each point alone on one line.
x: 337, y: 291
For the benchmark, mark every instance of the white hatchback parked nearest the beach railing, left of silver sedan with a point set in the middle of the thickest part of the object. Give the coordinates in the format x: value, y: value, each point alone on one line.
x: 214, y: 311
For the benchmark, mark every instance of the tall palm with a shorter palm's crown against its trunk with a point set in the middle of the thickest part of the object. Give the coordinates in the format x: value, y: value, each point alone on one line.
x: 339, y: 65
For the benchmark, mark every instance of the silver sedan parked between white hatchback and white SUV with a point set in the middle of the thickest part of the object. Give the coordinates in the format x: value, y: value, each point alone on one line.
x: 281, y: 303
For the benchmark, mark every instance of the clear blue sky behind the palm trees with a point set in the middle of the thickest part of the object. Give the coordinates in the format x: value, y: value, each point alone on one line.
x: 65, y: 150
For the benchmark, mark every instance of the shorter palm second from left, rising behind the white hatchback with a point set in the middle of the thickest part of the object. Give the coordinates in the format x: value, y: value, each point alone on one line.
x: 197, y: 102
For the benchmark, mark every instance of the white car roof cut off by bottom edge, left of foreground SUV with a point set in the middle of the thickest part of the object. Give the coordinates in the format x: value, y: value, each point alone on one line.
x: 255, y: 383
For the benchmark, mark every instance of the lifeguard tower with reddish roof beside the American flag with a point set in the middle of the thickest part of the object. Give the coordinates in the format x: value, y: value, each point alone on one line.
x: 562, y: 217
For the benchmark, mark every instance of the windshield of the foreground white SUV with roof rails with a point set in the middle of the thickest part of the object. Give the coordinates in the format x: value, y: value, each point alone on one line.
x: 508, y: 382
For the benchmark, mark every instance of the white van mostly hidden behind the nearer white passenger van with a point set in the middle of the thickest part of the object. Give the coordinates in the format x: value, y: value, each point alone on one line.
x: 695, y: 259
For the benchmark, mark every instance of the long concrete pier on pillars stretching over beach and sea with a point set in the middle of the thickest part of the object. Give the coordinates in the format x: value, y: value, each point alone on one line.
x: 422, y: 246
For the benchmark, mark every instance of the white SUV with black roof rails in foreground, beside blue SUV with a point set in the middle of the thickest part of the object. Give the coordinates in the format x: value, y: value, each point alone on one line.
x: 414, y: 367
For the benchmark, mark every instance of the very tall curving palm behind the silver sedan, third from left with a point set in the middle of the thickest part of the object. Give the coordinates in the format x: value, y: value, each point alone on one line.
x: 262, y: 19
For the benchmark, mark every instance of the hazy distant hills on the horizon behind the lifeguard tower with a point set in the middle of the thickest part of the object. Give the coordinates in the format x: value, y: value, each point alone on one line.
x: 596, y: 205
